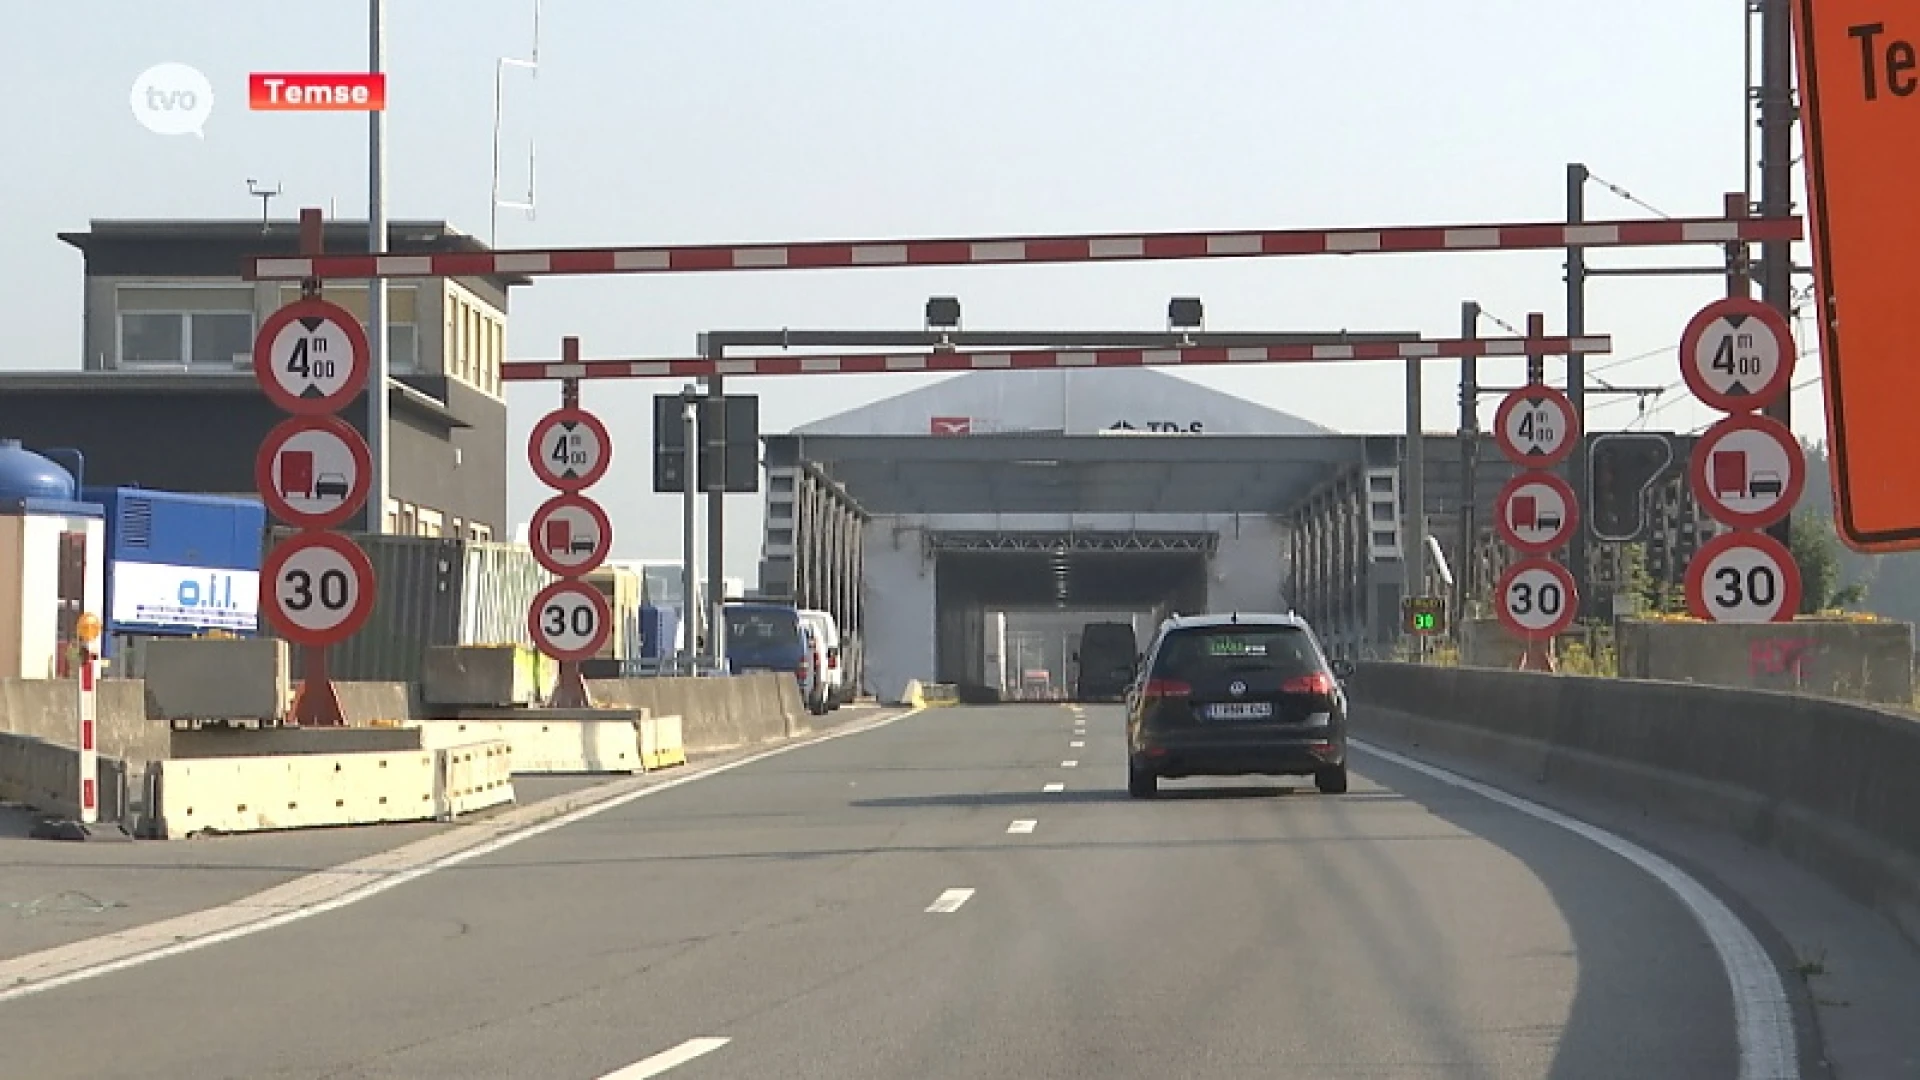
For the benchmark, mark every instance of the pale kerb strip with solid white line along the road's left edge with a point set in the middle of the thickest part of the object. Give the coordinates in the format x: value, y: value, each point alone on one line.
x: 130, y: 948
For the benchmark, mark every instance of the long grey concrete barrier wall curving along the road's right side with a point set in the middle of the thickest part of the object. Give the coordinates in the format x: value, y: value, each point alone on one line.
x: 1829, y: 785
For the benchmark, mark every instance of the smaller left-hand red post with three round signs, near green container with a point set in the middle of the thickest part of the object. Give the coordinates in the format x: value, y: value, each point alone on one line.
x: 571, y: 622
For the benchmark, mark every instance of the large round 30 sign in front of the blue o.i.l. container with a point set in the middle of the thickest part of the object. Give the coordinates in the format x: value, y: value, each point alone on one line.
x: 318, y: 589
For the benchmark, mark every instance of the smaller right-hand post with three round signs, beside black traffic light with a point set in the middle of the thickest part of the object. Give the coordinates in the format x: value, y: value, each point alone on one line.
x: 1537, y: 514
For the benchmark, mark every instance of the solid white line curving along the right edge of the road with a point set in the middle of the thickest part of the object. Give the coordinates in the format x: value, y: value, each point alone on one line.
x: 1764, y: 1018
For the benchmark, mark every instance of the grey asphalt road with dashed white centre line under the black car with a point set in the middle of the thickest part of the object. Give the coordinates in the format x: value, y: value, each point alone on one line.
x: 876, y: 908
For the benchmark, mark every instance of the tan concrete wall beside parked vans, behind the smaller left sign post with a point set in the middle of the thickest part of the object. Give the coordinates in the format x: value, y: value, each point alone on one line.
x: 715, y: 714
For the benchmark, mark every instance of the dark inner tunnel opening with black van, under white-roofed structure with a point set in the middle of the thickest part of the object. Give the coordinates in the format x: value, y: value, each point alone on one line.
x: 1011, y: 606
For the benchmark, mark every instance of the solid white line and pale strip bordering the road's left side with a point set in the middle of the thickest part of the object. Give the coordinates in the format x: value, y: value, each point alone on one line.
x: 26, y: 985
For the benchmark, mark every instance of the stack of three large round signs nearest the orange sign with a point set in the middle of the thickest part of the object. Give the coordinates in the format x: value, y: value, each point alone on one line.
x: 1748, y: 470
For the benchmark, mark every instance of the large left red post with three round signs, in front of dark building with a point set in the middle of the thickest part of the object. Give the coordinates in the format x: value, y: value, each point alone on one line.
x: 314, y: 472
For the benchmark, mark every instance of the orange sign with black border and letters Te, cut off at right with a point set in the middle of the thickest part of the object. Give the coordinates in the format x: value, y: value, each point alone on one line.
x: 1860, y: 64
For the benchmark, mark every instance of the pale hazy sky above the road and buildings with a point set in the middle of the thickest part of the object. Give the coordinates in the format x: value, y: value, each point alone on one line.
x: 769, y: 120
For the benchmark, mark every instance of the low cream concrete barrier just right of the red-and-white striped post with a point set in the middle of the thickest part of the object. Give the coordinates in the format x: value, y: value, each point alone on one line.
x: 304, y: 791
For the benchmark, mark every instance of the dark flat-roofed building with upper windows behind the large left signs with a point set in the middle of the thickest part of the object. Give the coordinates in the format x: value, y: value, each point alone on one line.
x: 166, y: 397
